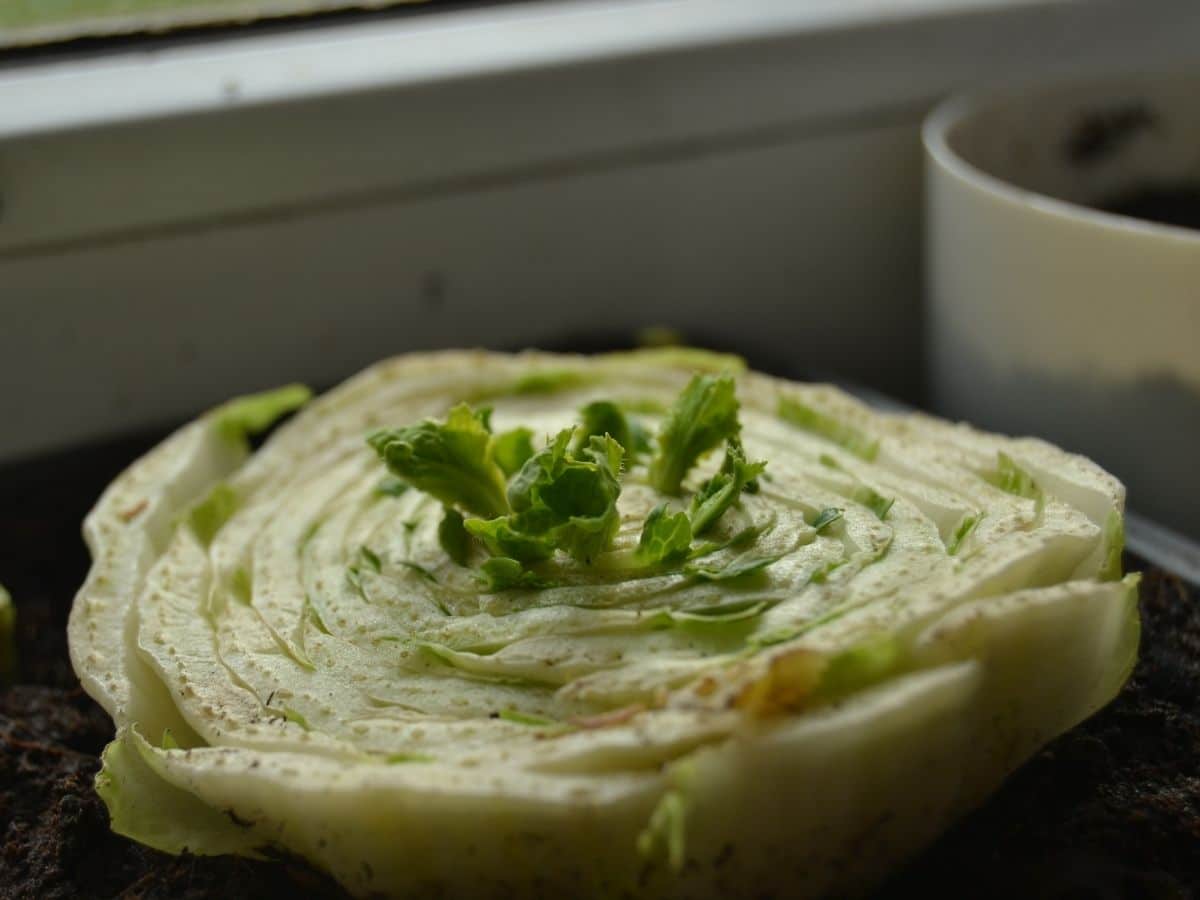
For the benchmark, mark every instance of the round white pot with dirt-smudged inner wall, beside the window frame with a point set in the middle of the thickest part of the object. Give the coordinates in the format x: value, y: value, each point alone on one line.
x: 1048, y: 316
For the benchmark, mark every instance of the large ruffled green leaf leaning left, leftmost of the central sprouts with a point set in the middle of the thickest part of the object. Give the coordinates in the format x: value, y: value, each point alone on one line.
x: 452, y: 461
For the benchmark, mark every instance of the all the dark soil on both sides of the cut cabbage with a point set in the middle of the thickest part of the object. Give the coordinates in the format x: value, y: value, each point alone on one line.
x: 1109, y: 811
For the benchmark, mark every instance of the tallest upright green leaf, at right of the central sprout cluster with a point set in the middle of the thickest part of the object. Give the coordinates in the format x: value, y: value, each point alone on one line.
x: 705, y: 415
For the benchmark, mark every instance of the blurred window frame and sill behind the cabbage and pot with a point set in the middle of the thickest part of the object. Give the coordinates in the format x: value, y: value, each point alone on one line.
x: 200, y: 200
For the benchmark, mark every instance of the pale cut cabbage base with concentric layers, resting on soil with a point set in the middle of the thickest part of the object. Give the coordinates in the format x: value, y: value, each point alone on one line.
x: 304, y: 653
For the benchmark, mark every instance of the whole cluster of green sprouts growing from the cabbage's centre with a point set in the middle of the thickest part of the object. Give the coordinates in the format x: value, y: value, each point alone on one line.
x: 529, y: 506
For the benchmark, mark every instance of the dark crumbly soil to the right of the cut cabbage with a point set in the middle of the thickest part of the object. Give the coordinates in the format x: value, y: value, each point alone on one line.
x: 1112, y: 809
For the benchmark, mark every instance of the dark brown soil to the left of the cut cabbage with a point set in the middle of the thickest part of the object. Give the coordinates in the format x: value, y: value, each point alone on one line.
x: 55, y: 837
